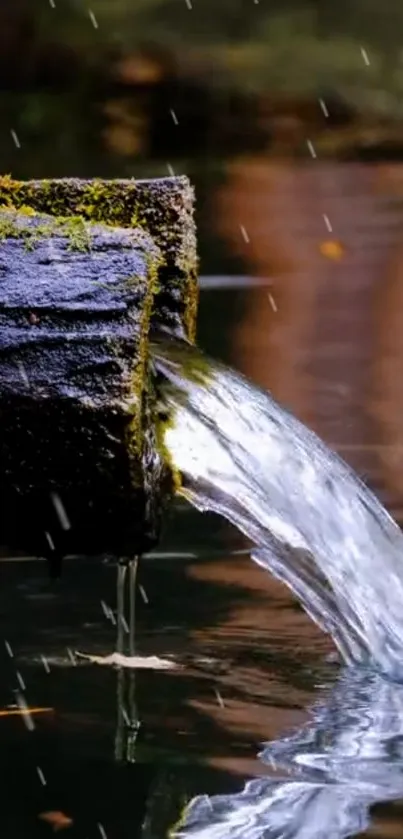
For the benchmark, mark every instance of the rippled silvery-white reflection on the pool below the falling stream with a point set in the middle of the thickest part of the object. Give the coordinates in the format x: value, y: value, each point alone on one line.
x: 349, y: 757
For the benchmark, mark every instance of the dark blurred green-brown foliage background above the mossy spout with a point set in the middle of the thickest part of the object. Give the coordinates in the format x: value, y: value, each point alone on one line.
x: 151, y: 87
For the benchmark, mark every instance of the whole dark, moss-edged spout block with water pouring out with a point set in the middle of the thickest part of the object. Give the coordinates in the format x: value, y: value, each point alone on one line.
x: 80, y: 470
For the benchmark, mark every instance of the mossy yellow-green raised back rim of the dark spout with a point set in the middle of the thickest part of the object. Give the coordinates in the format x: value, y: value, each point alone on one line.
x: 163, y: 207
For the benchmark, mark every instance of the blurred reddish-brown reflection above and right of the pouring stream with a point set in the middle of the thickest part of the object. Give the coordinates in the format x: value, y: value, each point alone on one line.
x: 335, y: 335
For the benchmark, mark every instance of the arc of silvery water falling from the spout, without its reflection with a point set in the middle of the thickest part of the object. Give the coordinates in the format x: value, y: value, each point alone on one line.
x: 314, y: 523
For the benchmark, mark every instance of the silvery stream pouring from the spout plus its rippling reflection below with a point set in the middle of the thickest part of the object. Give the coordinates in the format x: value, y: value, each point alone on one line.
x: 318, y: 528
